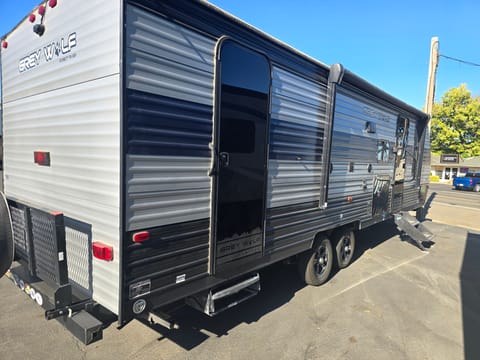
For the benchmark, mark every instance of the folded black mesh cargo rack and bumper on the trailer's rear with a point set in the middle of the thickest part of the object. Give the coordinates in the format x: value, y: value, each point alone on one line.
x: 43, y: 270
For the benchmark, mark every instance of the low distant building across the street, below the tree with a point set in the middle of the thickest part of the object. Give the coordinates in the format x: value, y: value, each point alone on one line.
x: 447, y: 166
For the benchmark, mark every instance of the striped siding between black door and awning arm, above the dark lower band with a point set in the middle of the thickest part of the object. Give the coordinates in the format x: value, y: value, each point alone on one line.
x: 296, y: 139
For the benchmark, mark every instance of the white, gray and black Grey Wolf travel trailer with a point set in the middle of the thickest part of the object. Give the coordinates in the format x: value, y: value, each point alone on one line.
x: 166, y: 151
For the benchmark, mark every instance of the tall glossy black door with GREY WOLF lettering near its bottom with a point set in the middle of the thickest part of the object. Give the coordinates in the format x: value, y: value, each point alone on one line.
x: 242, y: 137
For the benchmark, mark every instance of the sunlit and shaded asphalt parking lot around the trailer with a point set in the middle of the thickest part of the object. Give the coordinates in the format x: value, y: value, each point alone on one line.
x: 392, y: 302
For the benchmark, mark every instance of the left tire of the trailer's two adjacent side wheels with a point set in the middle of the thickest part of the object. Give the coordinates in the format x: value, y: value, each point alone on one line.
x: 315, y: 265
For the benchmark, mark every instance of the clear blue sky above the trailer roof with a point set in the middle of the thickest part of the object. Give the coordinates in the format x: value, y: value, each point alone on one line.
x: 385, y: 42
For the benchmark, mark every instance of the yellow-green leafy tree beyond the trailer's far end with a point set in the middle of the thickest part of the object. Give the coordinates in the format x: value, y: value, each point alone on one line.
x: 456, y: 123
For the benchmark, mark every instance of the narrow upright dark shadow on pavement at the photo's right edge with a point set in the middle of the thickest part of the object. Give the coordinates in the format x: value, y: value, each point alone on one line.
x: 470, y: 288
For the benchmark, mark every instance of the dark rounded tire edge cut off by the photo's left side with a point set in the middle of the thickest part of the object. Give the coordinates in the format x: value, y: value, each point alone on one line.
x: 6, y: 237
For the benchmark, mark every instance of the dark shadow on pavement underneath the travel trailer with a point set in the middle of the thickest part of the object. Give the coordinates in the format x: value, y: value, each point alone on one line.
x: 279, y: 282
